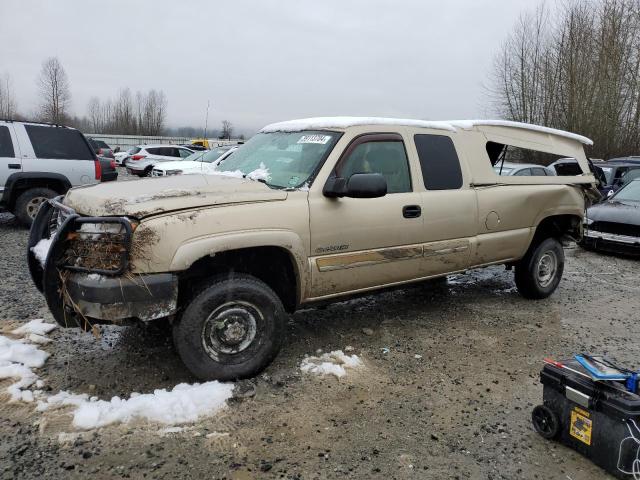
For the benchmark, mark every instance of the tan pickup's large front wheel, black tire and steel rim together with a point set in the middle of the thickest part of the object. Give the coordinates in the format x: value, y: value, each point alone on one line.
x: 232, y: 329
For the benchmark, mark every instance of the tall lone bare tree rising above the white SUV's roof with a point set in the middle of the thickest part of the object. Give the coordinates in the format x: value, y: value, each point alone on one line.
x: 54, y: 91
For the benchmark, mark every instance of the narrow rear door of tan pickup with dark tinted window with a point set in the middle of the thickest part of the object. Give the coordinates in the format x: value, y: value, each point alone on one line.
x: 449, y: 206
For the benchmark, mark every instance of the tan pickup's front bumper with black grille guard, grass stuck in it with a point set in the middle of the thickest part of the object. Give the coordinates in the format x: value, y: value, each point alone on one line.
x: 80, y: 295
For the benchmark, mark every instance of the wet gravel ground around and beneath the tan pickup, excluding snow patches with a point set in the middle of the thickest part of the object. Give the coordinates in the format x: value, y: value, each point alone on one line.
x: 461, y: 410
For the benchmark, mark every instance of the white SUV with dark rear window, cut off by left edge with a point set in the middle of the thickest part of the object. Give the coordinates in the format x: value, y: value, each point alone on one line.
x: 40, y: 161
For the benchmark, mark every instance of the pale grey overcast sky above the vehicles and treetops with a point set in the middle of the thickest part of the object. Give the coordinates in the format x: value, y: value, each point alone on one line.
x: 260, y: 61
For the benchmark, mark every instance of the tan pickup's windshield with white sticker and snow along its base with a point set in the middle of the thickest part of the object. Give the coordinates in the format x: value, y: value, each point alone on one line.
x: 287, y: 158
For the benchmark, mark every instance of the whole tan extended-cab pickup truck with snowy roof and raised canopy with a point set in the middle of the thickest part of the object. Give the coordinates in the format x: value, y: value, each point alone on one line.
x: 307, y: 211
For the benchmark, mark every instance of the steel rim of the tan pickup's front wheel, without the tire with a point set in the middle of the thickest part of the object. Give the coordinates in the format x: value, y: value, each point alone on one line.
x: 231, y: 328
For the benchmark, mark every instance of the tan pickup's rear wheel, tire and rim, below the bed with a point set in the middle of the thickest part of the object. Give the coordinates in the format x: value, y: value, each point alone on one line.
x: 538, y: 274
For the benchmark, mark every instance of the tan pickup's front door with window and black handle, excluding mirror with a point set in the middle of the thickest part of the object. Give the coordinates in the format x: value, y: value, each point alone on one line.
x: 359, y: 243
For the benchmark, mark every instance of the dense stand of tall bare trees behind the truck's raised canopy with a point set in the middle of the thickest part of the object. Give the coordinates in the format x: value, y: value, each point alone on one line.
x: 575, y: 66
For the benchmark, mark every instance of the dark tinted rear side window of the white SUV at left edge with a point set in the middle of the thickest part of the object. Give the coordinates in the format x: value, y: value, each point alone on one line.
x: 58, y: 143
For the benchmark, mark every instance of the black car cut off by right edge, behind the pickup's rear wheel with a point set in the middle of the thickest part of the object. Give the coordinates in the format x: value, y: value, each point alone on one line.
x: 614, y: 225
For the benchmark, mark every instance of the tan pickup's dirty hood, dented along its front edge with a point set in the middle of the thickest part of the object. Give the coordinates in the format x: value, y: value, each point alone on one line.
x: 143, y: 198
